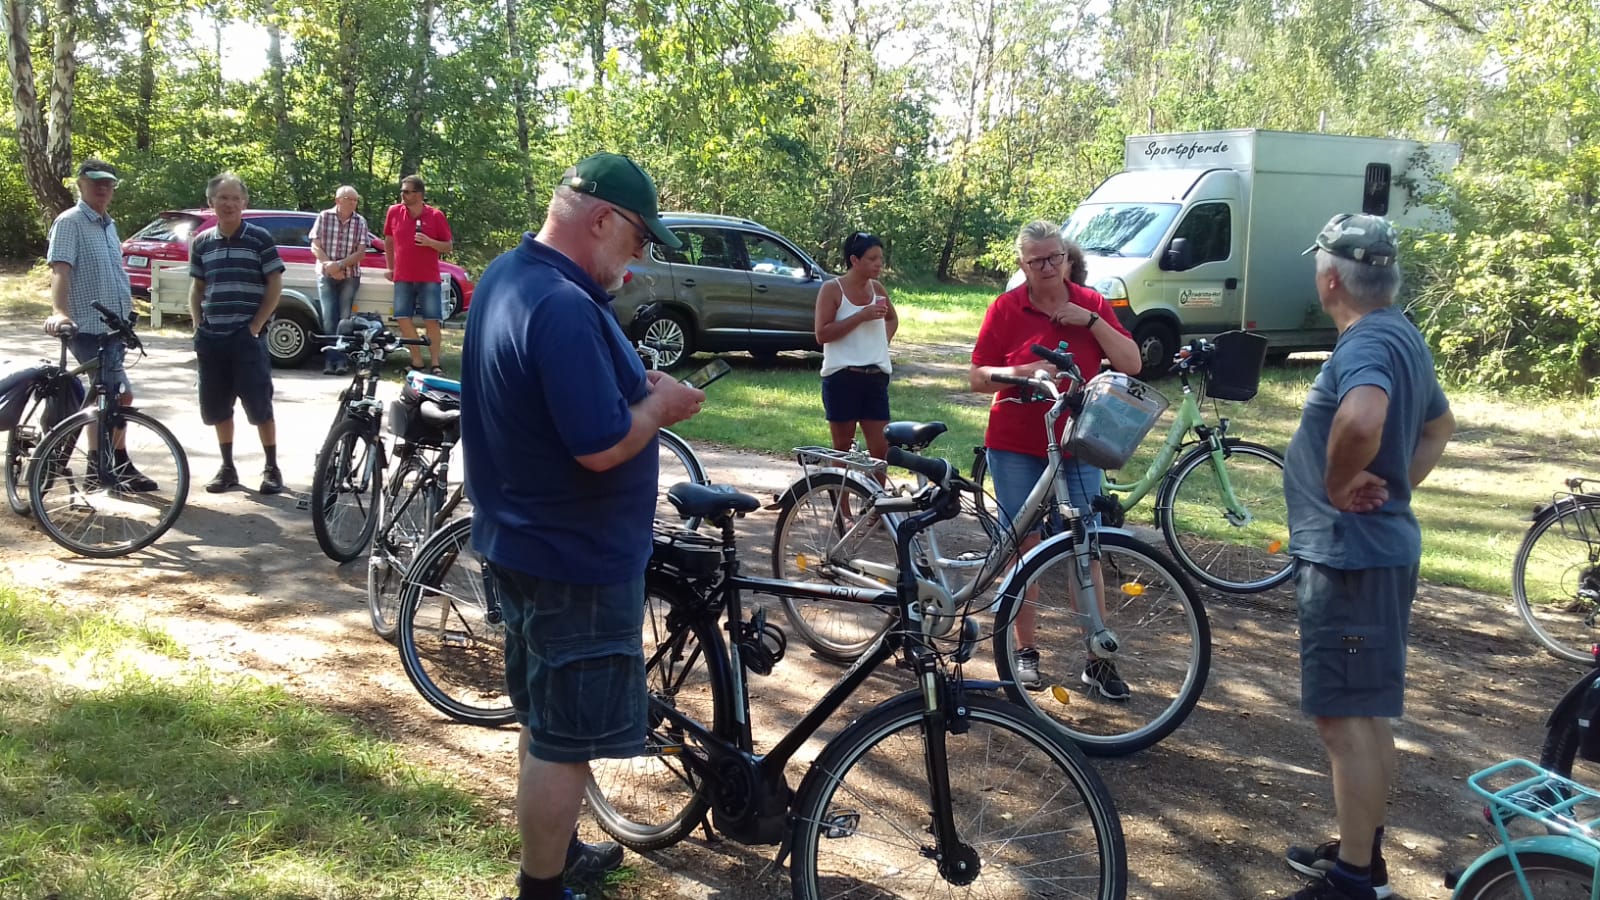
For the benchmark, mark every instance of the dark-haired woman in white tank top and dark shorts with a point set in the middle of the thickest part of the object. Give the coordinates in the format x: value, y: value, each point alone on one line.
x: 855, y: 324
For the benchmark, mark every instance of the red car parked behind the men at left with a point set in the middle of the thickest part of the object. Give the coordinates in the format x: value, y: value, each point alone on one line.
x: 167, y: 238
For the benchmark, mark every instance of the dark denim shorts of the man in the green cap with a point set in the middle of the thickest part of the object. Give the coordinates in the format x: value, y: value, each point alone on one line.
x: 575, y: 664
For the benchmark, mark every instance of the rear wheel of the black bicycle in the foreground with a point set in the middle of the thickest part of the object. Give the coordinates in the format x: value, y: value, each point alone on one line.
x: 654, y: 800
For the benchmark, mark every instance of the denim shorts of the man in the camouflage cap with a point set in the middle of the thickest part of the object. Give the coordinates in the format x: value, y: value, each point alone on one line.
x: 1354, y: 635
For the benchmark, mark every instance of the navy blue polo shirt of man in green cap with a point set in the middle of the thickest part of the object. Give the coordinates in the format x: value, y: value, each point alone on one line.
x: 548, y: 376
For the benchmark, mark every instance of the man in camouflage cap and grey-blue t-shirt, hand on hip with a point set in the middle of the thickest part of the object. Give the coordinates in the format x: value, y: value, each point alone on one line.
x: 1374, y: 427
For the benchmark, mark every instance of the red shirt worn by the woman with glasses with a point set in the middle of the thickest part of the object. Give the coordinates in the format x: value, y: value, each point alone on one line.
x: 1010, y: 331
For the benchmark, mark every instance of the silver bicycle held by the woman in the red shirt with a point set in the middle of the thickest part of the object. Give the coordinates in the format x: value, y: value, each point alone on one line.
x: 1153, y: 622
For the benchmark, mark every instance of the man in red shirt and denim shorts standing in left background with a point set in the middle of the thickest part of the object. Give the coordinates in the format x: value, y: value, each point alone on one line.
x: 415, y: 236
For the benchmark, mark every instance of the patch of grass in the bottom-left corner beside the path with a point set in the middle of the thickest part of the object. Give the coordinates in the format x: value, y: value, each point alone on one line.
x: 118, y: 784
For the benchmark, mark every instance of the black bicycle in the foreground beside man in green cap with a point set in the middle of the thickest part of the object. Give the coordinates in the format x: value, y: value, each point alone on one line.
x: 929, y: 792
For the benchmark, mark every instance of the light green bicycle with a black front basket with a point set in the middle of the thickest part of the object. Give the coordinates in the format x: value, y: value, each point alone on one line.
x: 1220, y: 505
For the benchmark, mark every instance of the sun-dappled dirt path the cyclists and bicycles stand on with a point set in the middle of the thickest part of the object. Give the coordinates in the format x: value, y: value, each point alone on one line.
x: 242, y: 584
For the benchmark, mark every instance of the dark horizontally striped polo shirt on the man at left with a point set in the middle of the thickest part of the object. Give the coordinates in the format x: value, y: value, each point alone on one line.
x: 234, y: 270
